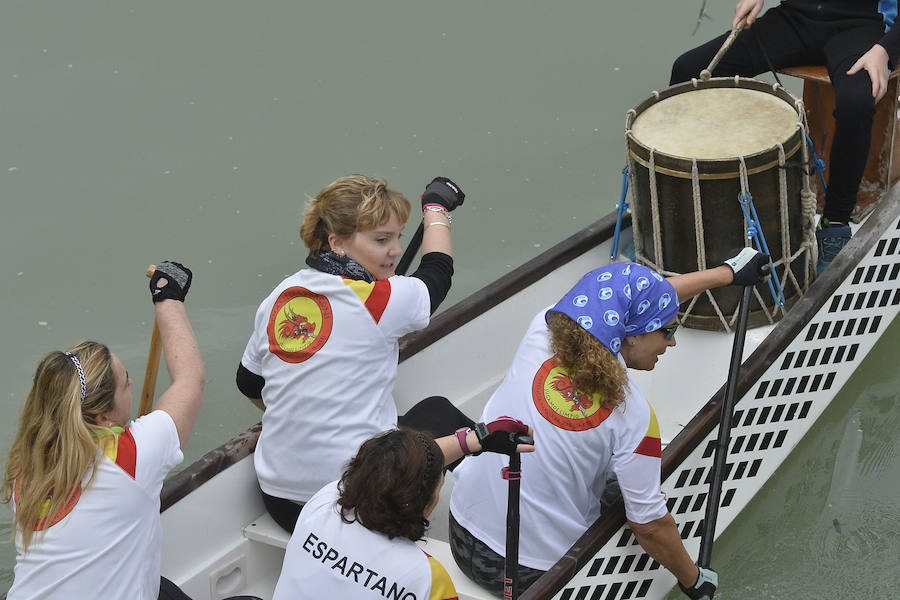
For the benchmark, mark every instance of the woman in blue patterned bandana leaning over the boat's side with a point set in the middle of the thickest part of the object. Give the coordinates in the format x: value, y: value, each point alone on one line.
x: 569, y: 379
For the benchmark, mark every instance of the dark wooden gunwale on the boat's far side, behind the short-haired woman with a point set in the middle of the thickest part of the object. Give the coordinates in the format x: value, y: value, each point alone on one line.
x: 242, y: 445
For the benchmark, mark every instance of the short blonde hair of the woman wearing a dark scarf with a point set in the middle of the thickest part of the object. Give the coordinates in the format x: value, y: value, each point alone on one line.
x: 347, y: 205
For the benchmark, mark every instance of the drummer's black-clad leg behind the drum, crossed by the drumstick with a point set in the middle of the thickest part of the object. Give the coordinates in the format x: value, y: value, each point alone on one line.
x: 778, y: 31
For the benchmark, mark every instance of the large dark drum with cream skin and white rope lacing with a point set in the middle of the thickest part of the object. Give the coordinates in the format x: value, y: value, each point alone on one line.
x: 693, y: 149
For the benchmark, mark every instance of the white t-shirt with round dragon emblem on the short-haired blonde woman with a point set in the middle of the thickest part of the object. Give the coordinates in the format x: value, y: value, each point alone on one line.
x: 328, y: 348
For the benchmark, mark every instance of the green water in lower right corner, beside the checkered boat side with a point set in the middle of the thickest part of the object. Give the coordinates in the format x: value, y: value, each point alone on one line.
x: 827, y: 524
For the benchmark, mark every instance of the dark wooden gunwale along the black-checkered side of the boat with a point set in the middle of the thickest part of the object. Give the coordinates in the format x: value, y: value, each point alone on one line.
x: 708, y: 417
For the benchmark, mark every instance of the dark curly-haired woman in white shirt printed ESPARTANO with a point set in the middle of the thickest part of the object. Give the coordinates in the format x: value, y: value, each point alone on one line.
x: 355, y: 538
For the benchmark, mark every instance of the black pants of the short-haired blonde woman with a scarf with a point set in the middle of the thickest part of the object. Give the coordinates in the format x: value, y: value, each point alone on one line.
x: 434, y: 414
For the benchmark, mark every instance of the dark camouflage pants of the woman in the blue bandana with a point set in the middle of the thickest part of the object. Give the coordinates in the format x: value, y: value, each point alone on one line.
x: 481, y: 564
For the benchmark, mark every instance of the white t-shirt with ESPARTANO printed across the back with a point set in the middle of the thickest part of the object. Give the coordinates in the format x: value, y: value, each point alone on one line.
x: 328, y: 558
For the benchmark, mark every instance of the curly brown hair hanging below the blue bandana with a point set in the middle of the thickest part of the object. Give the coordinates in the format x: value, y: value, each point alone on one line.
x: 591, y: 365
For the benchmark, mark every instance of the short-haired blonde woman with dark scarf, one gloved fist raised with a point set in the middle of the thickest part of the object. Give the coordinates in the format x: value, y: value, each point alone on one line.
x: 323, y: 355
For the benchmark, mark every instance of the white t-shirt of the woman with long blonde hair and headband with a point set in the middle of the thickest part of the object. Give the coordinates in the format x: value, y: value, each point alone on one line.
x: 109, y: 544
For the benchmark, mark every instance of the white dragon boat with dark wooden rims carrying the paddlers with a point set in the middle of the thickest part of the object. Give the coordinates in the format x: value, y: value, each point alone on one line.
x: 219, y: 541
